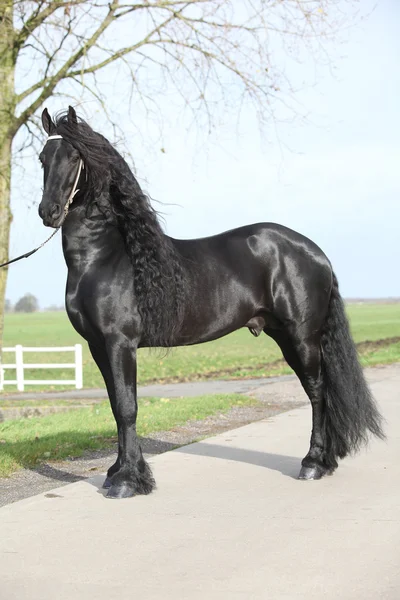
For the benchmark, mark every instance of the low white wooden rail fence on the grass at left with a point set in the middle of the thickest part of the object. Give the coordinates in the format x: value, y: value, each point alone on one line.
x: 19, y: 366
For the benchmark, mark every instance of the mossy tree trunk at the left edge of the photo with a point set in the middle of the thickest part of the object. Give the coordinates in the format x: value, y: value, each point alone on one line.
x: 7, y: 118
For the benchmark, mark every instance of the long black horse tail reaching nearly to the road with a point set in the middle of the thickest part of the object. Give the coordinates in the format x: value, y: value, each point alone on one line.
x: 350, y: 412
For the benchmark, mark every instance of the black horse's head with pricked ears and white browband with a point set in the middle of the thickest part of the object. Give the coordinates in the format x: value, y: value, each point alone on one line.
x: 62, y: 166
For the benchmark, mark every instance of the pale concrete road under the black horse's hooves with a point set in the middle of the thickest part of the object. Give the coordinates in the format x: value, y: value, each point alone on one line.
x: 229, y: 521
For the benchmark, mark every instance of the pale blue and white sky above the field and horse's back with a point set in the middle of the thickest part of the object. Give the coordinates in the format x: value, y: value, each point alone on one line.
x: 335, y: 178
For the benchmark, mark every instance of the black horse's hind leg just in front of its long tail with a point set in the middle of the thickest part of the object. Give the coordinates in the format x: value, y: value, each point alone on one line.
x: 304, y: 357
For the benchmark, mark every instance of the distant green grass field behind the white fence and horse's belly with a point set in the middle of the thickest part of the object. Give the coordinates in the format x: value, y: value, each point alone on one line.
x: 237, y: 355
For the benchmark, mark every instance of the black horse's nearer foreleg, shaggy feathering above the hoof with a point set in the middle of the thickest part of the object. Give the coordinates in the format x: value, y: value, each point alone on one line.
x: 131, y: 475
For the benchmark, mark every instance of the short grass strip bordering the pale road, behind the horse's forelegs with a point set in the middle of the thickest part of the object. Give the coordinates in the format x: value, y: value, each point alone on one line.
x: 27, y: 442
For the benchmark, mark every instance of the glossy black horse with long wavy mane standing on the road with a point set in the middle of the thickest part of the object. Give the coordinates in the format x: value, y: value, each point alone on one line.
x: 130, y: 286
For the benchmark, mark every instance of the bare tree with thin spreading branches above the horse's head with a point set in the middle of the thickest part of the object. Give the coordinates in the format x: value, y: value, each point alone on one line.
x: 214, y: 52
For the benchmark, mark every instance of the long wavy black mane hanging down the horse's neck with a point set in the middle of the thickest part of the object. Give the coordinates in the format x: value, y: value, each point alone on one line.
x: 157, y: 268
